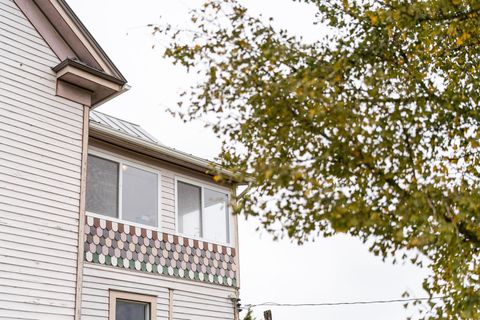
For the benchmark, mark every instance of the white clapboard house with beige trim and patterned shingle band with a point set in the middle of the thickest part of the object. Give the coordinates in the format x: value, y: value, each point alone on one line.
x: 98, y: 220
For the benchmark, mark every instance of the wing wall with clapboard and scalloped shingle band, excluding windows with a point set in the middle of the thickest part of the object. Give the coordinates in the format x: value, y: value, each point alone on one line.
x: 203, y: 276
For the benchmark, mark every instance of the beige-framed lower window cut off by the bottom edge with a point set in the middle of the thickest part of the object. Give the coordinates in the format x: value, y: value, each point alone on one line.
x: 131, y: 306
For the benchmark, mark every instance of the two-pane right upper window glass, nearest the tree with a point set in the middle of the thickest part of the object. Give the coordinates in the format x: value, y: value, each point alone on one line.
x: 202, y: 212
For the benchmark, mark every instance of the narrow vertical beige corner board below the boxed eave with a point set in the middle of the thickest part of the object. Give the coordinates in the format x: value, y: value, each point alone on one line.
x: 81, y: 219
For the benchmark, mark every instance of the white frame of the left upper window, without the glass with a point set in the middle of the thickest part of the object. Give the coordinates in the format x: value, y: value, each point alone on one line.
x: 120, y: 163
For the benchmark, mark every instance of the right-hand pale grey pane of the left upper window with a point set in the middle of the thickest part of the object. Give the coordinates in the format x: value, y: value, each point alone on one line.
x: 139, y: 196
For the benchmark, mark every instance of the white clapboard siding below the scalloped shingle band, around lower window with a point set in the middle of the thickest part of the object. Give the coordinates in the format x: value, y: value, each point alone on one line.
x: 191, y: 300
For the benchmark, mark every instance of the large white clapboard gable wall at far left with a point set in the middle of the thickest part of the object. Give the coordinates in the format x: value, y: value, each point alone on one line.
x: 40, y: 157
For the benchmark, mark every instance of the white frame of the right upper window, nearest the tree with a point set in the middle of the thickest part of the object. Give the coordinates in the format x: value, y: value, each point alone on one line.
x: 202, y: 184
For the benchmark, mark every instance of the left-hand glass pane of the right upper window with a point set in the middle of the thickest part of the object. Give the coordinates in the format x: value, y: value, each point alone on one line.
x: 189, y: 209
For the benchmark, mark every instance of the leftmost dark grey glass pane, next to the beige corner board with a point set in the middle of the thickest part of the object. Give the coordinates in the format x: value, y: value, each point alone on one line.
x: 102, y: 186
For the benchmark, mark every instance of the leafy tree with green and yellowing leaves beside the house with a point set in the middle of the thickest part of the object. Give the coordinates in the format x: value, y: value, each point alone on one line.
x: 371, y: 131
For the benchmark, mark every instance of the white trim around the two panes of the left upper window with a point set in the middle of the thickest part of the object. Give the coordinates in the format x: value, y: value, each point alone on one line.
x: 122, y: 161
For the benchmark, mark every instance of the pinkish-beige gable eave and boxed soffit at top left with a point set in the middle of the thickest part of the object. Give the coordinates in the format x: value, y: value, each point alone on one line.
x: 83, y: 62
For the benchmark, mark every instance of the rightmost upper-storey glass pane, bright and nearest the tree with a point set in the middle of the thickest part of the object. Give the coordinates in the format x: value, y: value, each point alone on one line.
x: 215, y: 216
